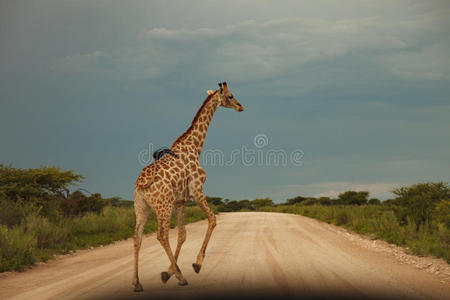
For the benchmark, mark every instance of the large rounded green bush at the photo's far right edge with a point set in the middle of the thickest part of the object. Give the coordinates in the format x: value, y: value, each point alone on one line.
x: 419, y: 201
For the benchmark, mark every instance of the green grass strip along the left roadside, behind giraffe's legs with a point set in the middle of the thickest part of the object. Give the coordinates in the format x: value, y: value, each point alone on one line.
x: 37, y: 238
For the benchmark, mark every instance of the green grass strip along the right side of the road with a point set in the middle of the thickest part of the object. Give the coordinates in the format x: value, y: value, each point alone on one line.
x: 379, y: 222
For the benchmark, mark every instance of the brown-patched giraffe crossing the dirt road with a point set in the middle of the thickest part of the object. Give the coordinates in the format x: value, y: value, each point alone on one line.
x: 169, y: 182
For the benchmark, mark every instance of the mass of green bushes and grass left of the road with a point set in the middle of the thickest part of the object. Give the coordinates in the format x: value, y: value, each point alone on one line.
x: 39, y: 217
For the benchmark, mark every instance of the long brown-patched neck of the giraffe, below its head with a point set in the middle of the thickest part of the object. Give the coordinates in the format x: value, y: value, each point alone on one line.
x: 194, y: 137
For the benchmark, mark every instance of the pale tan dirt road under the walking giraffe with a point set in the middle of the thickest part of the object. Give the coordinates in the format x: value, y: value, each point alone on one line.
x: 249, y: 254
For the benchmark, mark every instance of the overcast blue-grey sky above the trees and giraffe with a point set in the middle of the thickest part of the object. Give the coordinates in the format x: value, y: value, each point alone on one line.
x: 361, y: 88
